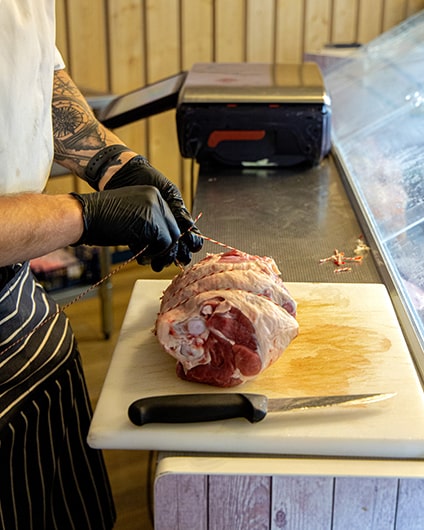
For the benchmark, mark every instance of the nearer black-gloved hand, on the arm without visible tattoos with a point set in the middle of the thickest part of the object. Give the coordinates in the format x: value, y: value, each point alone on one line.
x: 136, y: 216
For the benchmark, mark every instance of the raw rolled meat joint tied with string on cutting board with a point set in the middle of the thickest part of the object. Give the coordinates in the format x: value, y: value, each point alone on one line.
x: 226, y: 318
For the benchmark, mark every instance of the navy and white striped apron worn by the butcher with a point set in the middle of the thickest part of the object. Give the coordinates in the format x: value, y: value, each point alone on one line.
x: 49, y: 478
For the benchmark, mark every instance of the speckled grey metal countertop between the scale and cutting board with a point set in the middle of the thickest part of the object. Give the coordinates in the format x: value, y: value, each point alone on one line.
x: 295, y: 215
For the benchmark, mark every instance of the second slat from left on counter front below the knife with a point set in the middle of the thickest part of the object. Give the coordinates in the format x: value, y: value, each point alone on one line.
x: 239, y: 502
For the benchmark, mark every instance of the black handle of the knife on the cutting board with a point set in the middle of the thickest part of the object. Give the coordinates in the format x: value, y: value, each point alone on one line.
x: 187, y: 408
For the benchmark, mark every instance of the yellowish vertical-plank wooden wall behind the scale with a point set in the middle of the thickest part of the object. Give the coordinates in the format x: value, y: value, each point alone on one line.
x: 119, y: 45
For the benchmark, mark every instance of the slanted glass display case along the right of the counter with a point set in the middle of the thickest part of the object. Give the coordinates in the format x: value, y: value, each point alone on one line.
x: 378, y: 137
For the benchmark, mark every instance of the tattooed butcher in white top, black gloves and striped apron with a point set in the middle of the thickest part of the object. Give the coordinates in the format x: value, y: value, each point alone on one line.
x: 50, y: 478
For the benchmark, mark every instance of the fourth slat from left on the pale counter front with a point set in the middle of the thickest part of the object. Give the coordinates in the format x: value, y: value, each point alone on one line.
x: 365, y: 503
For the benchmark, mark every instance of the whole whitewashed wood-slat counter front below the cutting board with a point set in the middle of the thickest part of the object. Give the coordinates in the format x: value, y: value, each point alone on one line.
x: 261, y: 502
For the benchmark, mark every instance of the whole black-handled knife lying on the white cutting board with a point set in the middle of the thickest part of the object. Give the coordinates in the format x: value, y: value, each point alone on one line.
x: 188, y: 408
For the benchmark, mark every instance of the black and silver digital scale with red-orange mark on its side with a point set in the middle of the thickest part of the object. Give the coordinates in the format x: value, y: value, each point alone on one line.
x: 238, y: 114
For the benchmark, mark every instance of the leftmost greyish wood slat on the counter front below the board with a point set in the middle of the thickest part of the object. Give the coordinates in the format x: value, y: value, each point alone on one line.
x: 181, y: 502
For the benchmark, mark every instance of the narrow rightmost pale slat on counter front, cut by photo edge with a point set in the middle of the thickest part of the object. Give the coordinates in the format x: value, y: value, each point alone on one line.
x: 410, y: 512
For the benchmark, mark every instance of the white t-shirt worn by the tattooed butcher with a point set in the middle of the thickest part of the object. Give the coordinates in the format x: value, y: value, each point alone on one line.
x: 28, y: 58
